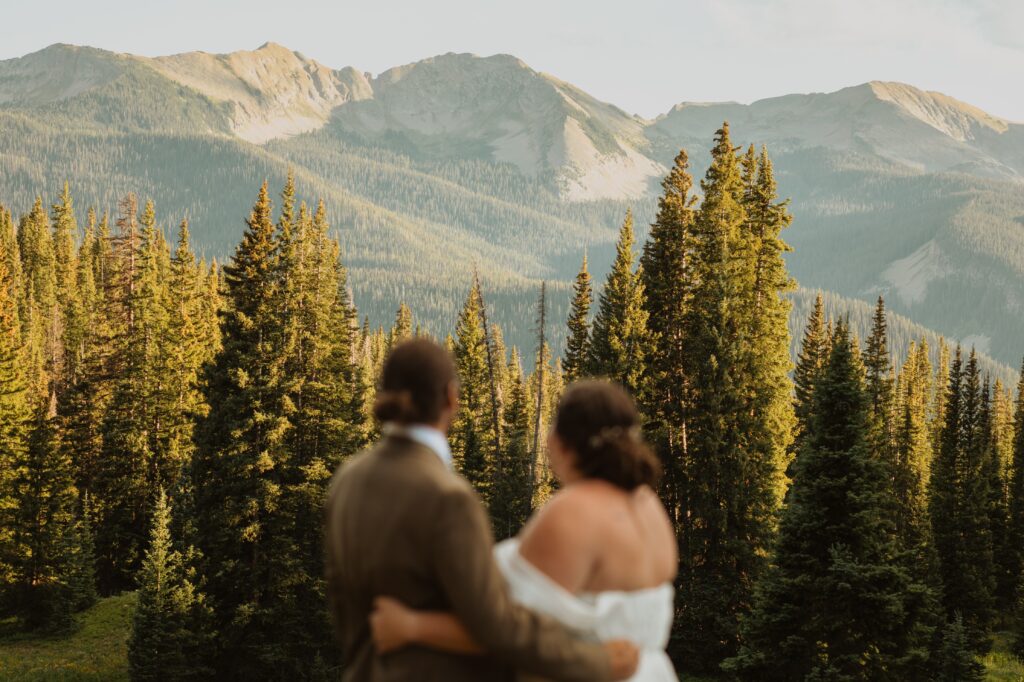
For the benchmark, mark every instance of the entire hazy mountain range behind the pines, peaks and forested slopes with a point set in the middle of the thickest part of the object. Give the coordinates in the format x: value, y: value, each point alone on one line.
x: 434, y: 167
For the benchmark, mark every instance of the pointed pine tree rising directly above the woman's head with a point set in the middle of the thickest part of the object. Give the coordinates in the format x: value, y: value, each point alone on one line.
x: 620, y: 340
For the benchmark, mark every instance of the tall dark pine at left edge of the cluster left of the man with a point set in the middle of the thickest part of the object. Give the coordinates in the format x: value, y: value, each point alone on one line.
x: 239, y: 446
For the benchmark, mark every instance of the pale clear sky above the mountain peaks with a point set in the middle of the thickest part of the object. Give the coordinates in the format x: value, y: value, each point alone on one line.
x: 643, y: 56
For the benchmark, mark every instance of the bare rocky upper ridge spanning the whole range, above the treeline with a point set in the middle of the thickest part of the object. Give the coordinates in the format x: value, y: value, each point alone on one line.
x: 504, y: 111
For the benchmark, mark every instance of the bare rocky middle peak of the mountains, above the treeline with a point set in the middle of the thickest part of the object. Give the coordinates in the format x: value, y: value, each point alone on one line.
x: 501, y: 110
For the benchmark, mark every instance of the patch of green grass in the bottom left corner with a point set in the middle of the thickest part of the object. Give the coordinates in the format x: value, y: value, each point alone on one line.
x: 98, y: 651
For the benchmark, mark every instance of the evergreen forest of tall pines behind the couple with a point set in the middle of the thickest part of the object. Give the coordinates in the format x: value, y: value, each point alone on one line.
x: 846, y: 487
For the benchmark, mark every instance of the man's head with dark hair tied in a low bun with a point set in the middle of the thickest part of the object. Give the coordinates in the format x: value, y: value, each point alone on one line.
x: 414, y: 383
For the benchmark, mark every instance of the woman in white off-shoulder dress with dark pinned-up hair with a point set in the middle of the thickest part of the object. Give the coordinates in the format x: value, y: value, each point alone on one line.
x: 601, y: 557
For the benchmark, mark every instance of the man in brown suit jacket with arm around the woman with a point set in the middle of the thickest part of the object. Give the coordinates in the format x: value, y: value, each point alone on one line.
x: 402, y: 525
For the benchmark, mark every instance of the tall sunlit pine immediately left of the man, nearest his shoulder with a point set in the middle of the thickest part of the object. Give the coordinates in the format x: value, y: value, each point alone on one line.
x: 325, y: 427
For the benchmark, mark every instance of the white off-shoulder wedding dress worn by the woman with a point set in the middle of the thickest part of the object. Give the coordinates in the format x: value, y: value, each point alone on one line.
x: 644, y: 617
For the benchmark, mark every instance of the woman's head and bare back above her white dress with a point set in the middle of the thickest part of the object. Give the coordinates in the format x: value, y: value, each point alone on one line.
x: 606, y: 530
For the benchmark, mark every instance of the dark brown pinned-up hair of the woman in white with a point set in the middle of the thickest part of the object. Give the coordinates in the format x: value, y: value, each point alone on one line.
x: 599, y: 421
